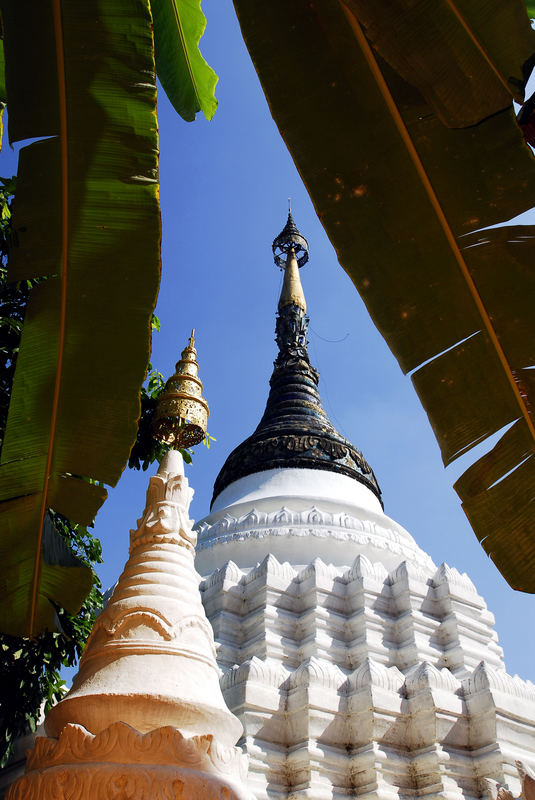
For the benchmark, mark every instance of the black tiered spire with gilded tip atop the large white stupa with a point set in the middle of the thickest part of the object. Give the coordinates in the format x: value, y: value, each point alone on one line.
x: 294, y: 430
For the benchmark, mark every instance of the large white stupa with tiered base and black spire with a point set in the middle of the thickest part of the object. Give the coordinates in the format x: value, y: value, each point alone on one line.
x: 356, y: 665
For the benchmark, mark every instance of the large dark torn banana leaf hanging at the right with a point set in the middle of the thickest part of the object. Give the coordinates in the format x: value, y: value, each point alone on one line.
x: 399, y: 118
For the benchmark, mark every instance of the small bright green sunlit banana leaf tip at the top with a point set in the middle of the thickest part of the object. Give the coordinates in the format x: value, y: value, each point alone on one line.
x: 186, y: 77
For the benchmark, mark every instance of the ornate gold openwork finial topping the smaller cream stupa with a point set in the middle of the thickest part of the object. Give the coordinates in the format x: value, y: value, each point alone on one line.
x: 182, y: 412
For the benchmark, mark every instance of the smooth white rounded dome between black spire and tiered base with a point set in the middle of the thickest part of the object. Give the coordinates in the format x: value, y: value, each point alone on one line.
x: 298, y: 514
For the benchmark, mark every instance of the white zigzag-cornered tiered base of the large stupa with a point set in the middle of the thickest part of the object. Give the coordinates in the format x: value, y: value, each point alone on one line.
x: 355, y: 681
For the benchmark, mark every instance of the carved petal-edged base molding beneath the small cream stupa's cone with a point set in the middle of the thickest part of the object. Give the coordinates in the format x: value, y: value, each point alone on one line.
x: 121, y: 763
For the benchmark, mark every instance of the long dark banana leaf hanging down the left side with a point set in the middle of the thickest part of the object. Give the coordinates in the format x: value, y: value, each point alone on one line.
x: 86, y: 216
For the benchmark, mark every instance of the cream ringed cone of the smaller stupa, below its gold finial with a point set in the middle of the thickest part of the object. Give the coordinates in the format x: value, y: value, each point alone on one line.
x: 150, y: 659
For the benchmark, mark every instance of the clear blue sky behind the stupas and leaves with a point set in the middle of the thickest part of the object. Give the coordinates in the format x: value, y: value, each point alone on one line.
x: 224, y: 190
